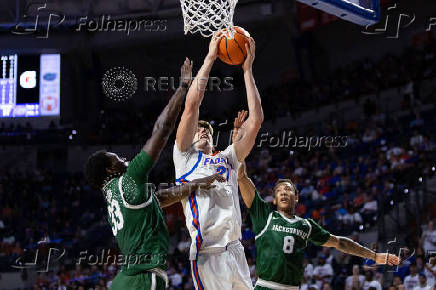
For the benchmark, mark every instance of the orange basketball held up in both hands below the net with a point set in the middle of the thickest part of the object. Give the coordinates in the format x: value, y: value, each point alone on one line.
x: 232, y: 51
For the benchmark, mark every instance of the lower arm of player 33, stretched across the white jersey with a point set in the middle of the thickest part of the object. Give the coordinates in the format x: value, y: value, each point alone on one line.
x: 175, y: 194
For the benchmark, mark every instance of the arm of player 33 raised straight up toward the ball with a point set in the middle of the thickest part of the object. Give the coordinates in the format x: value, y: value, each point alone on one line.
x: 166, y: 121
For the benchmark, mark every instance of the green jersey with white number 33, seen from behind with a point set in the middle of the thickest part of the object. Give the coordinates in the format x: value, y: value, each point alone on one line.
x: 136, y: 218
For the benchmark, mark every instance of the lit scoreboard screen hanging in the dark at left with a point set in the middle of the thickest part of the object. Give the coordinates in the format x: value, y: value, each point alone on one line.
x: 30, y: 85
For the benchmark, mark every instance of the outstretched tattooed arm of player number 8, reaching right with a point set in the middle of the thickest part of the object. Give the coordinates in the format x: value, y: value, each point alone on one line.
x: 349, y: 246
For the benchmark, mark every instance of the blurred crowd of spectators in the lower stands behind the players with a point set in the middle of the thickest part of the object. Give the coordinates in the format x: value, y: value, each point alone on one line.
x: 347, y: 190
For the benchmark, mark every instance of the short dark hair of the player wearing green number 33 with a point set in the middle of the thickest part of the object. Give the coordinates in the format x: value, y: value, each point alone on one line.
x: 95, y: 169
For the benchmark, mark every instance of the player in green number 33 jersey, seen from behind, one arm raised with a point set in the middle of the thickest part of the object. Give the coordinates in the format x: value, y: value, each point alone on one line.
x: 134, y: 210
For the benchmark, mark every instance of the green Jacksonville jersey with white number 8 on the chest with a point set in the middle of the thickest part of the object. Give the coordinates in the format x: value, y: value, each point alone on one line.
x: 281, y: 241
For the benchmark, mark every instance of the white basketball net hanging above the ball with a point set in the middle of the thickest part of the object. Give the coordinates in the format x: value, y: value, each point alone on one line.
x: 208, y: 16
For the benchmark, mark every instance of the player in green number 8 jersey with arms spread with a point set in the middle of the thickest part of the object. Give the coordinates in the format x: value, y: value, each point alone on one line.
x: 281, y: 236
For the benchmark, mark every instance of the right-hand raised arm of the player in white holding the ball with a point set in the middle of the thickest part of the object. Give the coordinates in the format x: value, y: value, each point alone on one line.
x: 255, y: 113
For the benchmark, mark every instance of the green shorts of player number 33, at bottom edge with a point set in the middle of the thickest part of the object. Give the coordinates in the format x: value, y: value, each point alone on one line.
x: 141, y: 281
